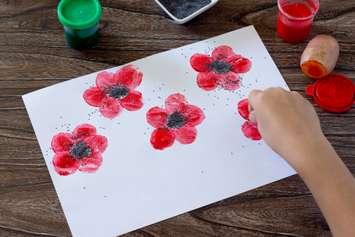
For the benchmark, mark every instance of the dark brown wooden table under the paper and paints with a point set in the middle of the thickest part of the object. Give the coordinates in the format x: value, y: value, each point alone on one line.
x: 33, y: 55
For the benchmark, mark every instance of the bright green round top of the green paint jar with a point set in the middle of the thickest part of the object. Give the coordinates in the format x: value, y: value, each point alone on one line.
x: 79, y: 14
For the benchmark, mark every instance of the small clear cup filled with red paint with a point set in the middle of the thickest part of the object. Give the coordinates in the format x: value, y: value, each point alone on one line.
x: 295, y: 19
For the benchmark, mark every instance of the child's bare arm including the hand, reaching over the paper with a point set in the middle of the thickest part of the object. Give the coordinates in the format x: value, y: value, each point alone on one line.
x: 290, y: 126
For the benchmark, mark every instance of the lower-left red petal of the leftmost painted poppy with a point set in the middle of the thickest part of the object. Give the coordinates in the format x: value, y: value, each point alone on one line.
x: 64, y: 164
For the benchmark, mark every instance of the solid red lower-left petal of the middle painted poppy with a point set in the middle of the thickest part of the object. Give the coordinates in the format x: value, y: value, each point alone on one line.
x: 162, y: 138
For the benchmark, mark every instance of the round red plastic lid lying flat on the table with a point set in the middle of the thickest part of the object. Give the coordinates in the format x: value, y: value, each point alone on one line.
x: 334, y: 93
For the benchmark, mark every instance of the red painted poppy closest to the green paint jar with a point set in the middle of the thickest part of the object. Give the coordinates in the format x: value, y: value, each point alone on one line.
x: 114, y: 91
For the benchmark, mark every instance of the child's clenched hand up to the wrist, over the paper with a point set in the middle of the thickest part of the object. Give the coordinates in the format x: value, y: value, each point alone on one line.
x: 287, y: 123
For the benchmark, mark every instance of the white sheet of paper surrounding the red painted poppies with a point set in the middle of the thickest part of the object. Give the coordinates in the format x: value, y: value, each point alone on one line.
x: 137, y: 185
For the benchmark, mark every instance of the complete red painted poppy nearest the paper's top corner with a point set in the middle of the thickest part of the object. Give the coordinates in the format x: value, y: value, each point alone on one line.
x: 222, y: 68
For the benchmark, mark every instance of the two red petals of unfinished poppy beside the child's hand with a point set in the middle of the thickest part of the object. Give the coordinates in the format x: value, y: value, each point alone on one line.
x: 249, y: 129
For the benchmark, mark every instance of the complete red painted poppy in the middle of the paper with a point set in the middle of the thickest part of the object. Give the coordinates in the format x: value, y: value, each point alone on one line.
x: 177, y: 121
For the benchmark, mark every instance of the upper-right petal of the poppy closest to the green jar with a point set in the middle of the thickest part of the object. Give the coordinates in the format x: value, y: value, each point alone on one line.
x: 128, y: 76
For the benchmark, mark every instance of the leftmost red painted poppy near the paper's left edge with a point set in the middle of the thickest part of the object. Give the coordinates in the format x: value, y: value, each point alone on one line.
x: 79, y: 150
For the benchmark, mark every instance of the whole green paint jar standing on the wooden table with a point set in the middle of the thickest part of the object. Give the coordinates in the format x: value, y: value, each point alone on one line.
x: 80, y: 19
